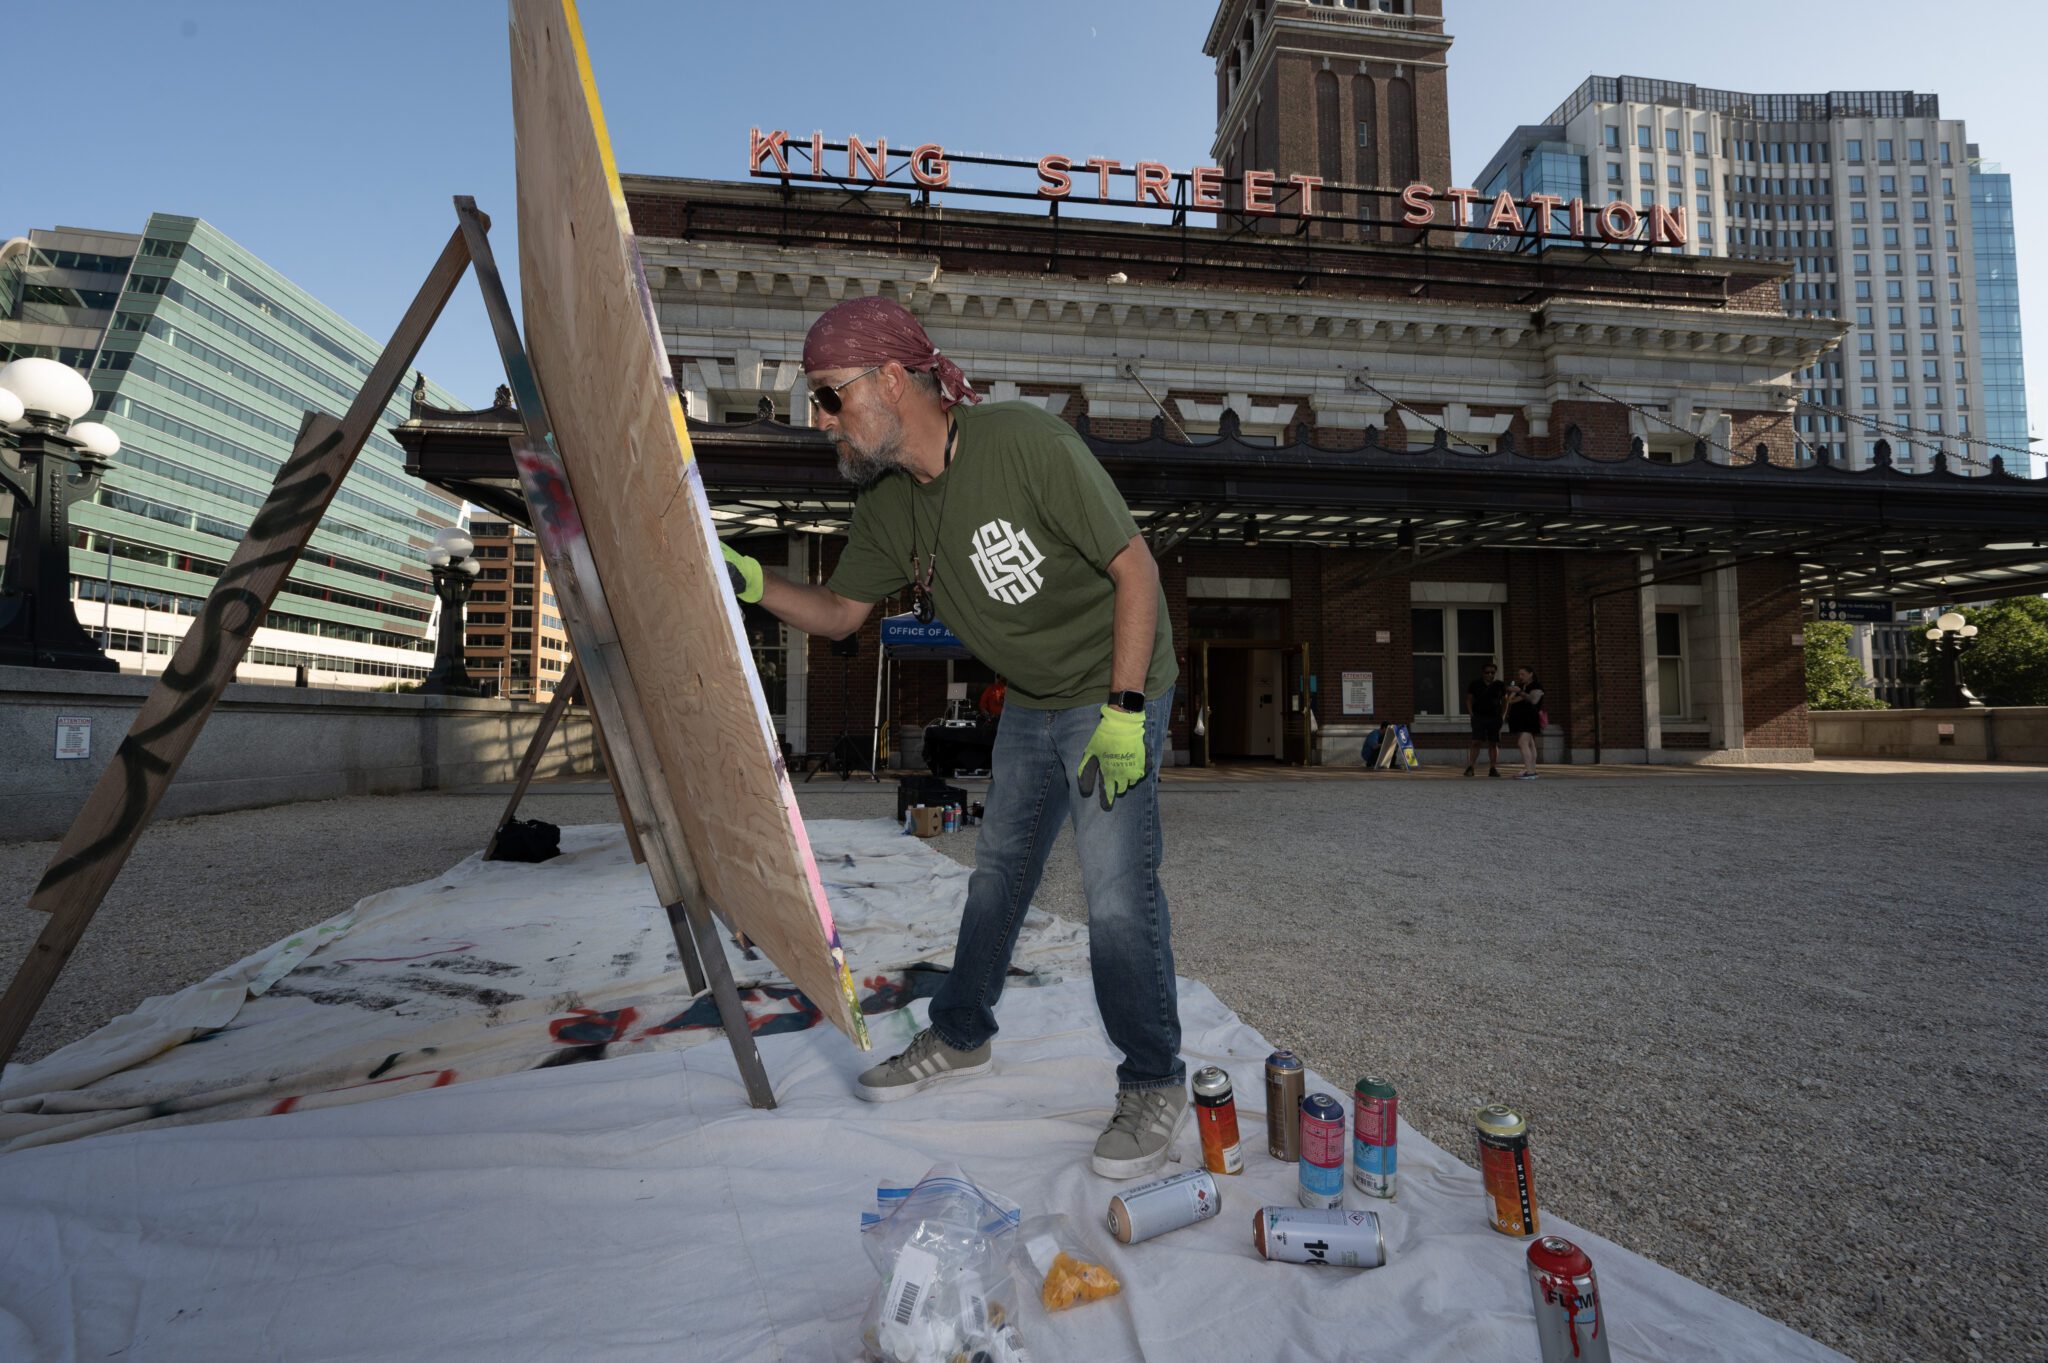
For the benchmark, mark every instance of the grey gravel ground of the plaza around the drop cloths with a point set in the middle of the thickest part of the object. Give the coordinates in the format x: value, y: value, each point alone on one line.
x: 1762, y: 1030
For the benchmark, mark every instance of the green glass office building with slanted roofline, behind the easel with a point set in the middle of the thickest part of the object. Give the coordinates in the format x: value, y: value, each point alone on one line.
x: 206, y: 361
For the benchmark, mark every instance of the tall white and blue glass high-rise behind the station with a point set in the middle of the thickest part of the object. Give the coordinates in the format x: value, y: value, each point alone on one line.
x: 1867, y: 195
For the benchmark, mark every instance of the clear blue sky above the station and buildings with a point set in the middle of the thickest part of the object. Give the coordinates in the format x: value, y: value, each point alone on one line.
x: 329, y: 138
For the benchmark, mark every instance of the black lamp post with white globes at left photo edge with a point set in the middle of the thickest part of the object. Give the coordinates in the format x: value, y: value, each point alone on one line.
x: 60, y: 455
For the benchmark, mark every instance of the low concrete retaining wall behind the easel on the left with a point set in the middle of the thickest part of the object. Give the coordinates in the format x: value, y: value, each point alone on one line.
x: 265, y: 746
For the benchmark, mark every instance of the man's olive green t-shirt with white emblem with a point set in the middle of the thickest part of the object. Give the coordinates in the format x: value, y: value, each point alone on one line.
x: 1027, y: 523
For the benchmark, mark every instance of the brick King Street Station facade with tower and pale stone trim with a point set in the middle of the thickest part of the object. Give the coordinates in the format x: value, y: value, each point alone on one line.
x: 1328, y: 335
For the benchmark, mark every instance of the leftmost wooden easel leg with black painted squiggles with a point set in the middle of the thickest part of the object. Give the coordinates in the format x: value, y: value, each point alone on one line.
x: 118, y: 811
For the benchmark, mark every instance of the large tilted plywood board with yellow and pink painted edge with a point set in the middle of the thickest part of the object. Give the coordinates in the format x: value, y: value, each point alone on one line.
x: 603, y: 369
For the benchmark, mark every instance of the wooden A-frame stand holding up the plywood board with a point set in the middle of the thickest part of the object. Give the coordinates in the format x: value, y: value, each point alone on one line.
x: 118, y: 811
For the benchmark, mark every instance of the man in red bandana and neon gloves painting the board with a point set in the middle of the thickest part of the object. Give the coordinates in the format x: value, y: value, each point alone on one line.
x: 1000, y: 521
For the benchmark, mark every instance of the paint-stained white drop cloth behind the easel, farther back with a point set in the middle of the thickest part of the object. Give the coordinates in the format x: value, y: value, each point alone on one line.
x: 490, y: 969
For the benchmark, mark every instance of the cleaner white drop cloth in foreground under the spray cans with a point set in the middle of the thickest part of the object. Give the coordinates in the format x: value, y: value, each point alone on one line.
x: 640, y: 1211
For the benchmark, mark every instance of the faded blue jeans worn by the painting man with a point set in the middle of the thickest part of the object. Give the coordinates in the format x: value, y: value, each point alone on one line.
x: 1129, y: 938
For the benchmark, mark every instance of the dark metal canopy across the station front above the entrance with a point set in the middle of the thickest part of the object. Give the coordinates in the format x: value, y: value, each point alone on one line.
x: 1572, y: 500
